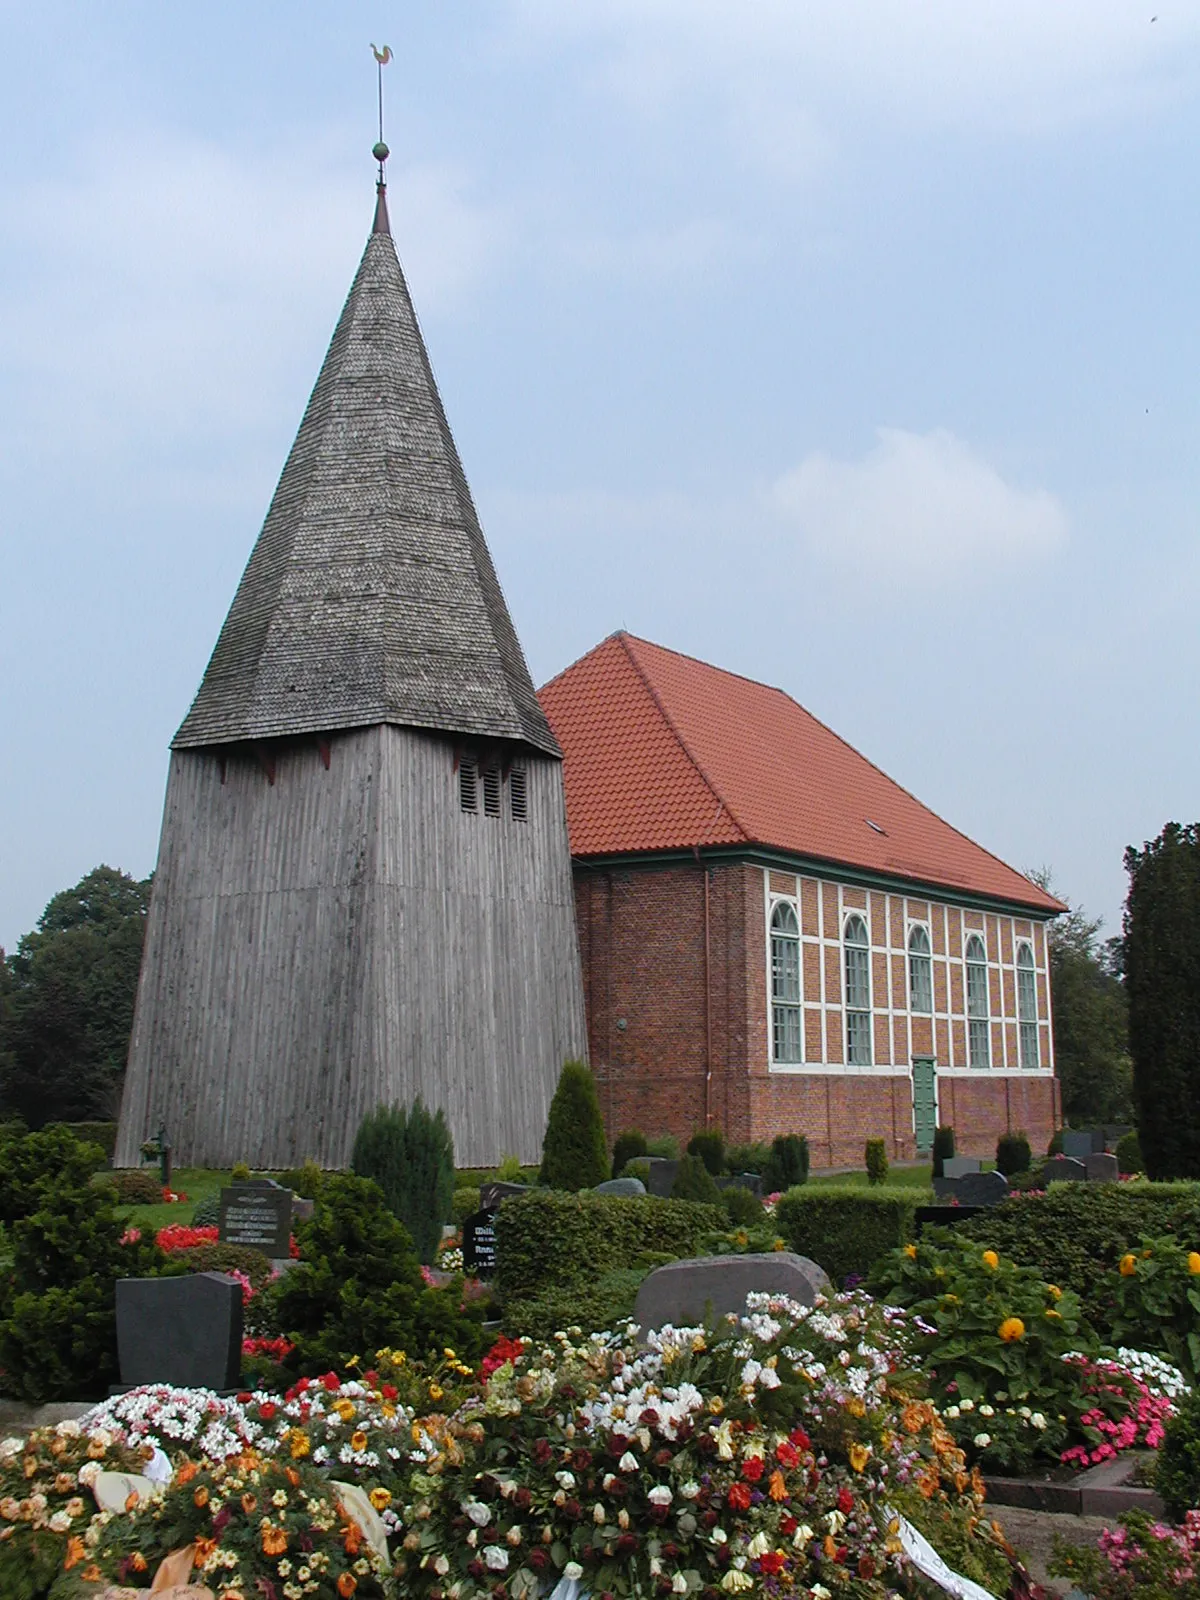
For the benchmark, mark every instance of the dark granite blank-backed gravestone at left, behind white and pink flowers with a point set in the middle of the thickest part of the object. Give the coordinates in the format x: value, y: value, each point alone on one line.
x: 185, y: 1332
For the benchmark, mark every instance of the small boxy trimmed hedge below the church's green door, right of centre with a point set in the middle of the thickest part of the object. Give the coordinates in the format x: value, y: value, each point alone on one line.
x: 846, y: 1231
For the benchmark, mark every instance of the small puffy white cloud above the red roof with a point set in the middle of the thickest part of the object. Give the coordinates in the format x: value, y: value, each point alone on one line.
x: 919, y: 508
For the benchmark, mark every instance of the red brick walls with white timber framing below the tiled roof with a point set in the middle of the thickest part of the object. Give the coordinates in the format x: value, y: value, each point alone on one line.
x: 676, y: 982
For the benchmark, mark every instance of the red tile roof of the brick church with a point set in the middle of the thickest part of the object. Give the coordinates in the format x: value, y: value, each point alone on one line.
x: 668, y: 753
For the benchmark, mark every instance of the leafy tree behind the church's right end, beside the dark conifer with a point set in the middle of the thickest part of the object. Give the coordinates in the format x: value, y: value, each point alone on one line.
x: 1092, y: 1038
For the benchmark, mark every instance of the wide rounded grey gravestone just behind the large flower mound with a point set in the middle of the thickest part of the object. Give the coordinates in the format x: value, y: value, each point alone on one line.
x: 687, y: 1292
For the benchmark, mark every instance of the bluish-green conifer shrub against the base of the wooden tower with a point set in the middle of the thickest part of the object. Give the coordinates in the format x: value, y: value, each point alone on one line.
x: 410, y: 1154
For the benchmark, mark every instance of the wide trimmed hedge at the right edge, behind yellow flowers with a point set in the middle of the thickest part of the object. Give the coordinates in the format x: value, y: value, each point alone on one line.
x: 1076, y: 1234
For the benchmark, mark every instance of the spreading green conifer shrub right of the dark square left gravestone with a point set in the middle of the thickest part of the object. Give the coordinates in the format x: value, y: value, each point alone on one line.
x: 358, y: 1287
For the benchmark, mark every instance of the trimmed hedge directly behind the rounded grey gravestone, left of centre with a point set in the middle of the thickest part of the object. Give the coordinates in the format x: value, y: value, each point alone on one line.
x: 551, y: 1239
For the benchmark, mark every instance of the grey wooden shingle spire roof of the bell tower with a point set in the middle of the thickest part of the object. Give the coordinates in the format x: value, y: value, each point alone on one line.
x: 370, y: 596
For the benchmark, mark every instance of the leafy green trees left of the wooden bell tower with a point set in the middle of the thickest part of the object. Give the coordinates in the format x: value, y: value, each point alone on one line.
x: 66, y: 1002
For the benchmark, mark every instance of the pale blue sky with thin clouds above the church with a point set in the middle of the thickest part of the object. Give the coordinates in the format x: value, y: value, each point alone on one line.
x: 852, y: 348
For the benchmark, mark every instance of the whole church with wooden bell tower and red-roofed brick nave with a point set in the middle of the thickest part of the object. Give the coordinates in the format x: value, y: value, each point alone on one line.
x: 388, y: 868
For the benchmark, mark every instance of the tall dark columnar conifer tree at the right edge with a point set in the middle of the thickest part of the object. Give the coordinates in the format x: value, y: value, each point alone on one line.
x: 1162, y: 978
